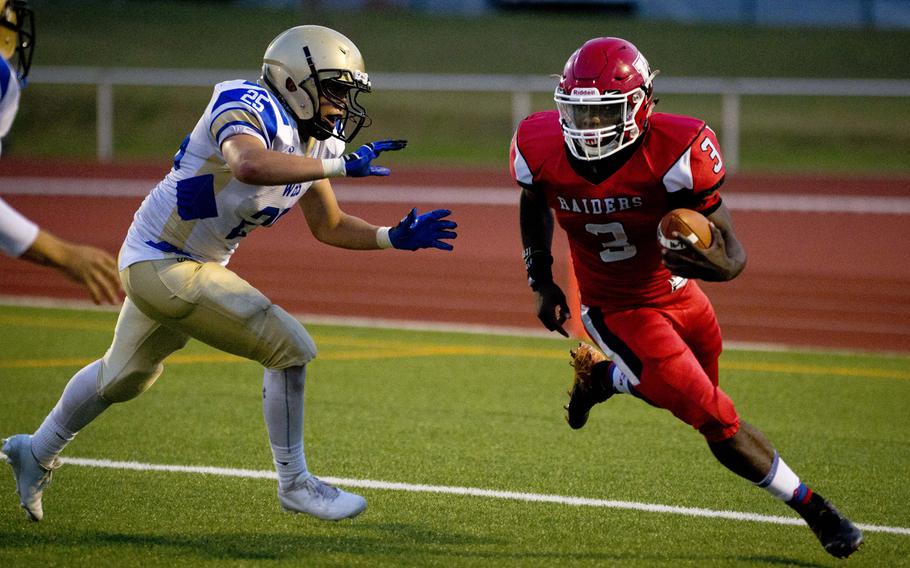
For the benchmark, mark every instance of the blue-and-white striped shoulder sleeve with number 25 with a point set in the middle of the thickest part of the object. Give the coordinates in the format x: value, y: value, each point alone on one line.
x: 243, y: 111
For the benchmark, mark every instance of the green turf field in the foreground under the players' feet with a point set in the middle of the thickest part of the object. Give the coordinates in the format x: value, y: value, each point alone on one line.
x: 451, y: 410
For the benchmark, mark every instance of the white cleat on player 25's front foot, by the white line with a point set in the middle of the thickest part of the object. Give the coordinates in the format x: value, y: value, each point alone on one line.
x: 308, y: 494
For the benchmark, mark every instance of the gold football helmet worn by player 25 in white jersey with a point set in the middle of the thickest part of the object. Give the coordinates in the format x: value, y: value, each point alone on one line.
x: 307, y: 63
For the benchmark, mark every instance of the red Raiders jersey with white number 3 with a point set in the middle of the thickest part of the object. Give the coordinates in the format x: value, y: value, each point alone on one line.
x: 612, y: 225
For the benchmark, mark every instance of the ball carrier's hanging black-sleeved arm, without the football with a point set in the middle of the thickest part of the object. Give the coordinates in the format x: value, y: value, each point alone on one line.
x: 536, y: 223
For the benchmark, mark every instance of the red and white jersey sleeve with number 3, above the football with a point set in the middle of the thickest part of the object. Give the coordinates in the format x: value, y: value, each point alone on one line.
x: 693, y: 180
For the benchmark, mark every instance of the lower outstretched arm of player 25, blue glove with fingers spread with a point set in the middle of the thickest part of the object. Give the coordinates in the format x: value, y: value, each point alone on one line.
x: 330, y: 225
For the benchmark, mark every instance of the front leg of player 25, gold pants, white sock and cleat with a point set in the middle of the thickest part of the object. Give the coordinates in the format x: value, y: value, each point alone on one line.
x: 211, y: 303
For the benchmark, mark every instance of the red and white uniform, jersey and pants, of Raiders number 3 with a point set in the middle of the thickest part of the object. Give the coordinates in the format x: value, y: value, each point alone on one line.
x: 659, y: 329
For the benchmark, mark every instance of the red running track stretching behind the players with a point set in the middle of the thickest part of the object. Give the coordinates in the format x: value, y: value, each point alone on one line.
x: 828, y: 279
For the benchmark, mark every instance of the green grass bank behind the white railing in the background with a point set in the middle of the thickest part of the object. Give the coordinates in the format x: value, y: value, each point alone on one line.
x: 806, y: 134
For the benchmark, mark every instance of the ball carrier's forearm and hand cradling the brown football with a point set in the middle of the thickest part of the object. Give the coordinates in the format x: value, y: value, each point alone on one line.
x: 724, y: 260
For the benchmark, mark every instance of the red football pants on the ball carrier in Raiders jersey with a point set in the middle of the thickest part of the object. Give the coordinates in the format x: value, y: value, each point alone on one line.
x: 670, y: 355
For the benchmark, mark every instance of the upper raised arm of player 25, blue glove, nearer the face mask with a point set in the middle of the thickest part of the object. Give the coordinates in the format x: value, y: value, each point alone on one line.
x: 251, y: 162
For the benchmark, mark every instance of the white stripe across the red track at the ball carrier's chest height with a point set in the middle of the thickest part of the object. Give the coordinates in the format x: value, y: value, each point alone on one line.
x: 463, y: 195
